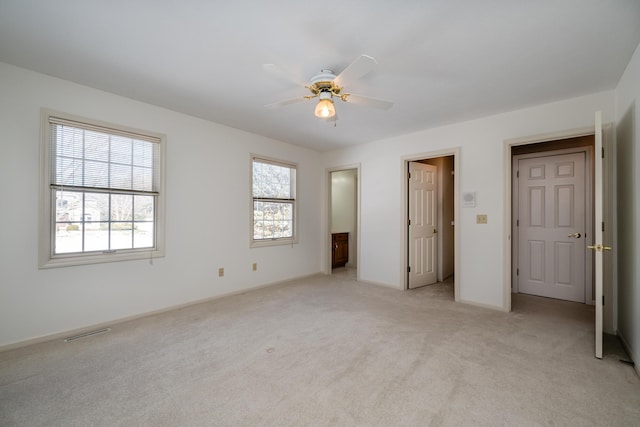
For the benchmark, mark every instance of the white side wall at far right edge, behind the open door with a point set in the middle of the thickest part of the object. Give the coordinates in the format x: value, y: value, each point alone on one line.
x: 627, y: 95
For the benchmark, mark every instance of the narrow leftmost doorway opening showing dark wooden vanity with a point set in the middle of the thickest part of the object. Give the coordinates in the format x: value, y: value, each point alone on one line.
x: 344, y: 220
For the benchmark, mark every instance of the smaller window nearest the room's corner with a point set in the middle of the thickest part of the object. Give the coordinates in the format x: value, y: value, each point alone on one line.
x: 274, y: 202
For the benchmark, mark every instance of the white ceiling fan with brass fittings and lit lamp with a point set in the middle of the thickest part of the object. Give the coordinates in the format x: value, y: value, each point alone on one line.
x: 326, y: 86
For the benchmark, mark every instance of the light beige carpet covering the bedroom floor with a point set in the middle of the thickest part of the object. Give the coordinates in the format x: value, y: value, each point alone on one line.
x: 327, y: 351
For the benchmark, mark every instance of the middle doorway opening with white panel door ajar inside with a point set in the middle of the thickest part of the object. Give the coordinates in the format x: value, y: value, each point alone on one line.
x: 431, y: 212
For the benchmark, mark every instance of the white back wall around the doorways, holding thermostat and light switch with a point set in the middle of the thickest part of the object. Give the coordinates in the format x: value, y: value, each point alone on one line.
x: 481, y: 170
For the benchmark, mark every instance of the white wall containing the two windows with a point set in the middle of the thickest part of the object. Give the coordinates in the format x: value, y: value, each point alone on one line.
x: 207, y: 189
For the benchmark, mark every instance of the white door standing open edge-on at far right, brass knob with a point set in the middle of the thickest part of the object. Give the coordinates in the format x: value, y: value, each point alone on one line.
x: 598, y: 245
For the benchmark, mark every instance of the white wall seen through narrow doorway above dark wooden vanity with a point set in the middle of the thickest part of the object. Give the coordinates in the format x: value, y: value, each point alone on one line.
x: 344, y: 208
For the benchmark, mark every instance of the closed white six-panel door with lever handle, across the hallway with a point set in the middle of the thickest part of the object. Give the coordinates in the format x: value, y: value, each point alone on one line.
x: 552, y: 225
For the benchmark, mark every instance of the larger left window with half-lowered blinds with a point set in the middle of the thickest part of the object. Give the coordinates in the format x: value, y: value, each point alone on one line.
x: 101, y: 192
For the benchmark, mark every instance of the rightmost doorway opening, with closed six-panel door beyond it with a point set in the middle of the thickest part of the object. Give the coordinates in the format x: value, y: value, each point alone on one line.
x: 552, y: 219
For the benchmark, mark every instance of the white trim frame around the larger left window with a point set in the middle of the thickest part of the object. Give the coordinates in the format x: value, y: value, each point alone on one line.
x: 45, y: 247
